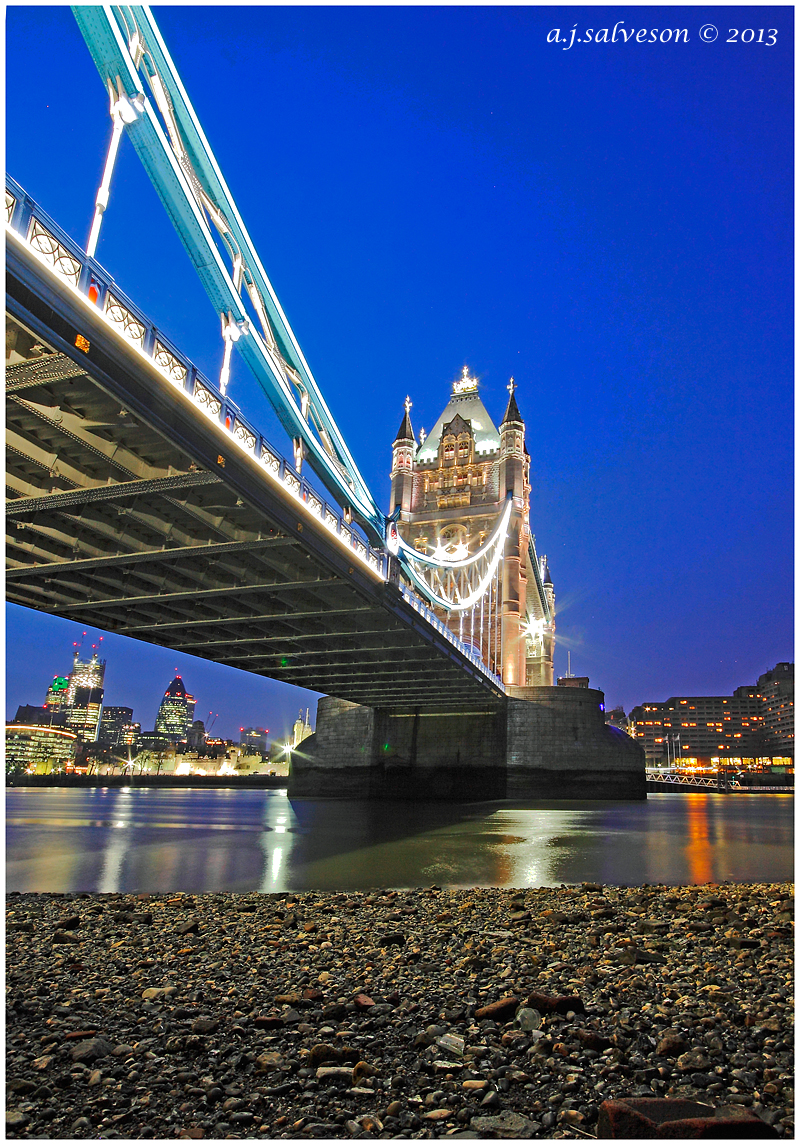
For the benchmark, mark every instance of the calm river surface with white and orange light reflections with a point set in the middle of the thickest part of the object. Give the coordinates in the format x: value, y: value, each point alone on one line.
x: 172, y: 840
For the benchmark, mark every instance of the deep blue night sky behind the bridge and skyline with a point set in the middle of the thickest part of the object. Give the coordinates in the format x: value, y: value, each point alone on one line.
x: 612, y: 224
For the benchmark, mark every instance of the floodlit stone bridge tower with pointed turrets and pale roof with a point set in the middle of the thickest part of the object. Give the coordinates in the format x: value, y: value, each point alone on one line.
x: 450, y: 491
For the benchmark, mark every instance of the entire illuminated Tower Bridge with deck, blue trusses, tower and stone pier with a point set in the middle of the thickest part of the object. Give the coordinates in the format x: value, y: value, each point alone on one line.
x: 145, y: 502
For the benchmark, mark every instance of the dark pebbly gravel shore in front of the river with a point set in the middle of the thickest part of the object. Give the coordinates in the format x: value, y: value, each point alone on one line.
x: 413, y: 1014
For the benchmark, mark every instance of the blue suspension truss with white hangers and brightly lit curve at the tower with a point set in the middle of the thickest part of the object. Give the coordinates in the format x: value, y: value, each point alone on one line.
x: 149, y: 101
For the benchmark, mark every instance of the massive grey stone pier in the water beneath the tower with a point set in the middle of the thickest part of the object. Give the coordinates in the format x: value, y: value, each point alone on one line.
x: 544, y: 744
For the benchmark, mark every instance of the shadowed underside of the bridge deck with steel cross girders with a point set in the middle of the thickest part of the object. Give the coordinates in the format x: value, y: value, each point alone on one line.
x: 125, y: 515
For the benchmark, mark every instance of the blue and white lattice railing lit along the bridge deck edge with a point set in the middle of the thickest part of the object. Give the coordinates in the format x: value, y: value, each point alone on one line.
x: 67, y: 259
